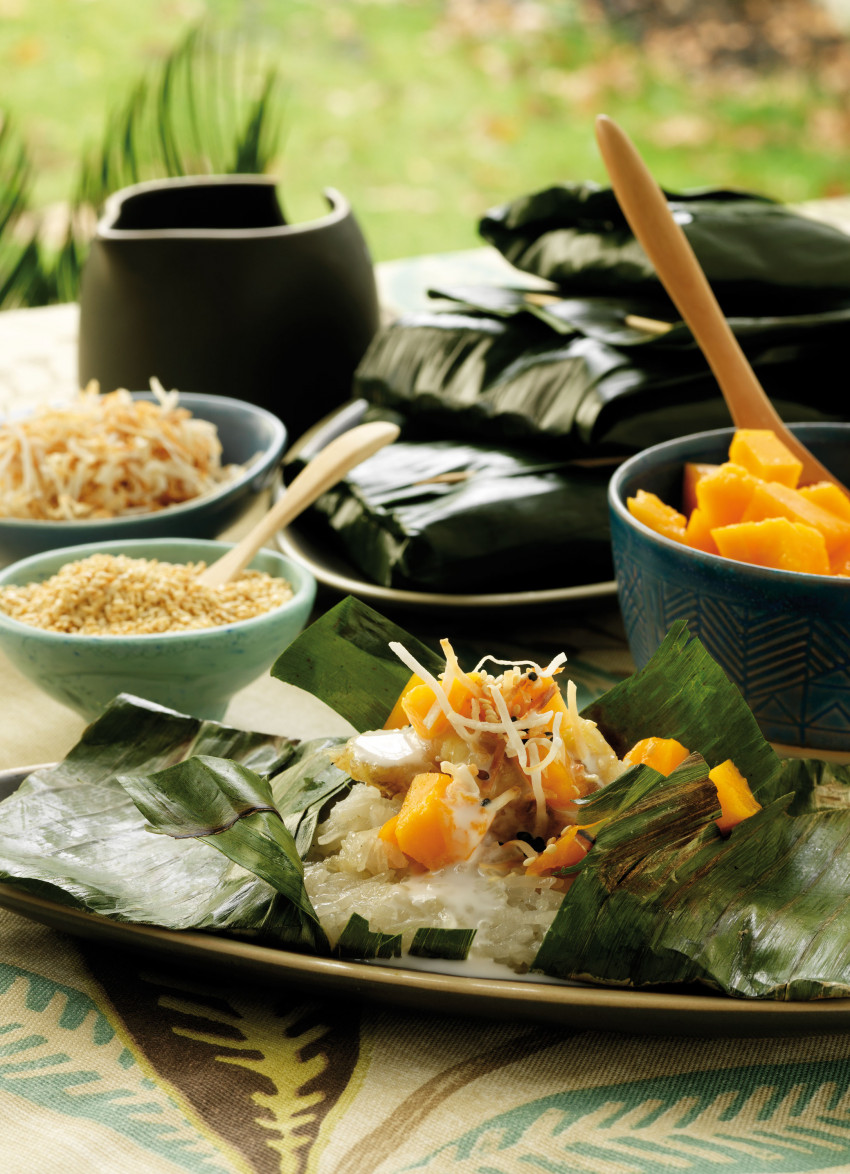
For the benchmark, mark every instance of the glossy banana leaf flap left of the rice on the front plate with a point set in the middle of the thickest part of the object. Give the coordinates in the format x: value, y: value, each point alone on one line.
x: 73, y: 833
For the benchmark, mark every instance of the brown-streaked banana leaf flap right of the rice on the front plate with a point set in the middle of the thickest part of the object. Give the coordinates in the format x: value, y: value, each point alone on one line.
x: 664, y: 901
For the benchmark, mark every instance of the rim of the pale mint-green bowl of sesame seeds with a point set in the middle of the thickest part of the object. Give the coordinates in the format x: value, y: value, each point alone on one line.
x: 302, y: 582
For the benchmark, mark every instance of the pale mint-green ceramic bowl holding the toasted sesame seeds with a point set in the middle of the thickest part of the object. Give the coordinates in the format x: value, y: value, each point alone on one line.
x: 193, y: 672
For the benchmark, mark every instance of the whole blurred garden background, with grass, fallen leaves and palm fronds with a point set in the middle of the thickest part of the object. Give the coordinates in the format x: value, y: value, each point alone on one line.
x: 426, y: 113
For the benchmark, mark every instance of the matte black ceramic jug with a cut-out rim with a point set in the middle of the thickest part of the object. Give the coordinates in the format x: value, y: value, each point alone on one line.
x: 201, y: 282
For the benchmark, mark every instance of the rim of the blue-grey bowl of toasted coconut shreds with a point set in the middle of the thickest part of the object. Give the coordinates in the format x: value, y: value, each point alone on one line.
x: 258, y: 467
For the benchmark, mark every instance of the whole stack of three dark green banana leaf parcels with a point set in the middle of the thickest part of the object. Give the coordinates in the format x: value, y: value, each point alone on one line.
x: 516, y: 404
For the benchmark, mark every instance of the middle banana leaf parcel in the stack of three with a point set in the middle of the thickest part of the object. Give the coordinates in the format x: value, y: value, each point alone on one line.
x: 572, y: 380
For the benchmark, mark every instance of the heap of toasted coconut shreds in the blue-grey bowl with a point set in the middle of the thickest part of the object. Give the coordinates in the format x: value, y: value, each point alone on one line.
x: 106, y: 457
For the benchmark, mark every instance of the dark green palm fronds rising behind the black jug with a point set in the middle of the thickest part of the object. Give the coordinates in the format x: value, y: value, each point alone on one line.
x: 212, y: 107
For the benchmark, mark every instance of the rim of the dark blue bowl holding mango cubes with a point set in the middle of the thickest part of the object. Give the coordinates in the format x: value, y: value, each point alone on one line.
x: 751, y: 571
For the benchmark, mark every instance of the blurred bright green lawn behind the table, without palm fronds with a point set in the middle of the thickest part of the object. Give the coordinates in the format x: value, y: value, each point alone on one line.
x: 427, y: 113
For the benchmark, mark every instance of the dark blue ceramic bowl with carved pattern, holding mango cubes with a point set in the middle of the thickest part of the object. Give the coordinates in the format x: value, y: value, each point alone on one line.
x: 784, y: 638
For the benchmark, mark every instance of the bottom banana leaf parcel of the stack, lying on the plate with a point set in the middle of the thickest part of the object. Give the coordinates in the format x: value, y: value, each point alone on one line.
x: 461, y: 517
